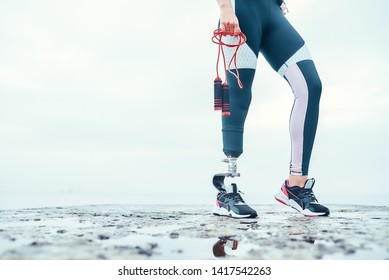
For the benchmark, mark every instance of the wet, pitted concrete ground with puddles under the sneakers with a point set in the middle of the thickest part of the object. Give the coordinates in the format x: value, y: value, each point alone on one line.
x: 193, y: 233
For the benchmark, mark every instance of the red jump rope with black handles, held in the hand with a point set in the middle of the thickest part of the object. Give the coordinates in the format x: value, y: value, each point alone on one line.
x: 221, y: 89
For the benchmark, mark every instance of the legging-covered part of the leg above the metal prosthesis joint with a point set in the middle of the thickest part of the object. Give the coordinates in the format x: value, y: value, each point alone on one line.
x: 250, y: 25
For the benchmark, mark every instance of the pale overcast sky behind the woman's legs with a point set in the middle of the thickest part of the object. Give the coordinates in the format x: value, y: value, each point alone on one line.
x: 116, y: 97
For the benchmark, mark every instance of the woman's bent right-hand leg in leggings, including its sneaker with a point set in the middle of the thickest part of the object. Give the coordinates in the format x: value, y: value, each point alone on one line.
x: 286, y: 52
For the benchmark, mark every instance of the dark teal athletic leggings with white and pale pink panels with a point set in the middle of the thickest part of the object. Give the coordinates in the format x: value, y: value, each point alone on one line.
x: 269, y: 32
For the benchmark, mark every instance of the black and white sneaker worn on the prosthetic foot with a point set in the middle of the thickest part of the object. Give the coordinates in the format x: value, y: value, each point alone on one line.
x: 230, y: 203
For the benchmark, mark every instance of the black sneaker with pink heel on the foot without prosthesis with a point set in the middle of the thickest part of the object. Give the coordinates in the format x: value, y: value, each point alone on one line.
x: 302, y: 199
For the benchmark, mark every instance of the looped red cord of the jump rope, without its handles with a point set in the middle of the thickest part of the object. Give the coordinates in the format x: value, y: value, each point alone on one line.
x: 217, y: 38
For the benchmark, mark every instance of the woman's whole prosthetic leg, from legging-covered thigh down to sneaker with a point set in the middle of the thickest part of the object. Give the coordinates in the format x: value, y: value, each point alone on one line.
x: 229, y: 201
